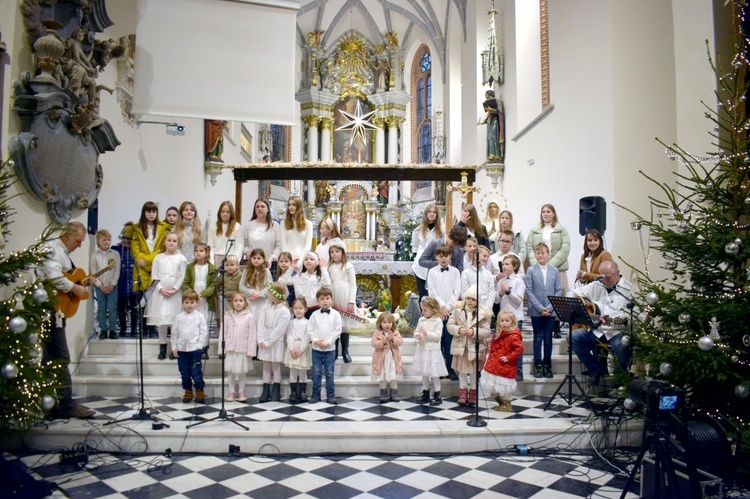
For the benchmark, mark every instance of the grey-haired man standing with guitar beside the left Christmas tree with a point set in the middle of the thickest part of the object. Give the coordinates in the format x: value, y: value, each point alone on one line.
x: 56, y: 346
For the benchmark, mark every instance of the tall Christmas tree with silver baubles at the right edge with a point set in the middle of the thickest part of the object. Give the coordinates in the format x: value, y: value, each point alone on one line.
x: 693, y: 326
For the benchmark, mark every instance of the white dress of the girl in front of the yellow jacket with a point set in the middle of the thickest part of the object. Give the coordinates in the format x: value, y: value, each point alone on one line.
x: 170, y: 271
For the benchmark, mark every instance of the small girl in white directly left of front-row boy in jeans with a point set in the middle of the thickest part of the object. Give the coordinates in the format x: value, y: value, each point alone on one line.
x: 297, y: 356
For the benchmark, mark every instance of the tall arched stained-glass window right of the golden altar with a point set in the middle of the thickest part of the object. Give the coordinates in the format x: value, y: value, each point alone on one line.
x: 421, y: 109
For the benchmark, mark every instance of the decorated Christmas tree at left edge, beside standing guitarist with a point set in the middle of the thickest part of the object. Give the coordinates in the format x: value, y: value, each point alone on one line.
x: 27, y: 383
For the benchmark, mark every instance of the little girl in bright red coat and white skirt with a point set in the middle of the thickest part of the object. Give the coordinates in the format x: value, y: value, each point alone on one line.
x: 499, y: 373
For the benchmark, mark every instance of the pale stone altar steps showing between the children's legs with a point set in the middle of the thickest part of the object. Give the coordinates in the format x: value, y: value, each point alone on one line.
x: 109, y: 368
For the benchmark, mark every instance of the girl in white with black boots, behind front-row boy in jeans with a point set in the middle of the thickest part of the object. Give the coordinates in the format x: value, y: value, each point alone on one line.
x: 344, y: 287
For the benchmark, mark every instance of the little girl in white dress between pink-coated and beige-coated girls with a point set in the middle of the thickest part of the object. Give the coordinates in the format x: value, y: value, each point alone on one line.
x: 428, y: 360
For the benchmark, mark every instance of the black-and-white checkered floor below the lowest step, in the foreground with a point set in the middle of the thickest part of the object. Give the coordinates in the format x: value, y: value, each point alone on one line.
x: 556, y: 475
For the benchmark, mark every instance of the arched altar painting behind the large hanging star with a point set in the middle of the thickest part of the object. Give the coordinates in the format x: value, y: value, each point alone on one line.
x: 352, y: 145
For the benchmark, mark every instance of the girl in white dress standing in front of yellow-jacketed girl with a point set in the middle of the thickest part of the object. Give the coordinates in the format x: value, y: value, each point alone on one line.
x: 165, y: 302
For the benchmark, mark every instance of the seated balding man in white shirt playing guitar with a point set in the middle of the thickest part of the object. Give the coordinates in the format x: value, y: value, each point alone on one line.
x: 613, y: 308
